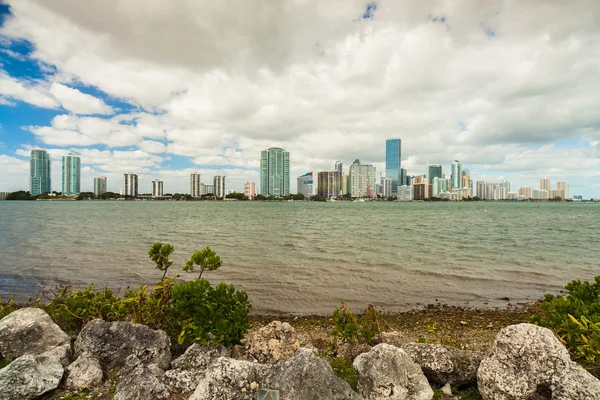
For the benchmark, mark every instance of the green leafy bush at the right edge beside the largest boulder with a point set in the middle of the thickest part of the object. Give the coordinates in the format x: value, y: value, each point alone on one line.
x: 575, y: 318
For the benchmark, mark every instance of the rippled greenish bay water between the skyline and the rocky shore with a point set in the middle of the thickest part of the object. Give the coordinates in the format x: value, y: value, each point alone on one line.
x: 306, y: 257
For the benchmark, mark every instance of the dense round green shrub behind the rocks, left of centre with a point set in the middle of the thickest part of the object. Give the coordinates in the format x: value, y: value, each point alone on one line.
x: 216, y: 315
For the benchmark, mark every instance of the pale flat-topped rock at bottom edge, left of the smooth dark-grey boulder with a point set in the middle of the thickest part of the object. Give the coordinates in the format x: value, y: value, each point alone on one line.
x: 229, y: 379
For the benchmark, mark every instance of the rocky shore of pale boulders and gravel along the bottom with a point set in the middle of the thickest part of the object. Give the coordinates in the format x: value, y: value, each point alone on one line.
x: 494, y: 352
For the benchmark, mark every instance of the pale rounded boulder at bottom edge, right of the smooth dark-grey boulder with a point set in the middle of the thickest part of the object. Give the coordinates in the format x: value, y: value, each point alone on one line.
x: 387, y: 372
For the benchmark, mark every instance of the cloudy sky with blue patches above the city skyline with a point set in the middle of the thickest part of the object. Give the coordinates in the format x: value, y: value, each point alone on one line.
x: 165, y: 88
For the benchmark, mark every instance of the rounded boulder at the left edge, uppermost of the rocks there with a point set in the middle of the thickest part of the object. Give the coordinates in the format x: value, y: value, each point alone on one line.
x: 30, y: 331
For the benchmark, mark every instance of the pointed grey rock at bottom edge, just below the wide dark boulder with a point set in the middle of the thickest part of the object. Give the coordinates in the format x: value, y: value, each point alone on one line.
x: 139, y: 382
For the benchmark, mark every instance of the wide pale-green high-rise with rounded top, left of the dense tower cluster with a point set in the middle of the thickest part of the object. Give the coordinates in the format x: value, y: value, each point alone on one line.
x: 275, y: 172
